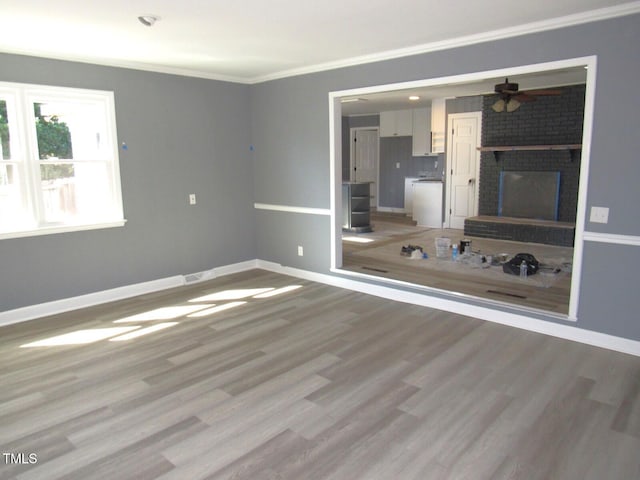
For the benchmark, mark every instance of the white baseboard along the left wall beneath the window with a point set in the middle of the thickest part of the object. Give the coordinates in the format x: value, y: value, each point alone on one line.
x: 82, y: 301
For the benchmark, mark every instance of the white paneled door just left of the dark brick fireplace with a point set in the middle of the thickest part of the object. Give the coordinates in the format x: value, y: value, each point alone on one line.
x: 463, y: 167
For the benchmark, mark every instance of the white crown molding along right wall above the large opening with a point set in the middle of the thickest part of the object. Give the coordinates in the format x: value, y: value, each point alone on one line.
x: 527, y: 28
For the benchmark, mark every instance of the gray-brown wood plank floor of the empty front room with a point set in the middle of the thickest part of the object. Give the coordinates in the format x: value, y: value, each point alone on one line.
x: 313, y: 383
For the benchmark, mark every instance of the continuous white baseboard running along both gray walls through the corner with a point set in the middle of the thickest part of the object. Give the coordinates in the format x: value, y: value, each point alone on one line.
x: 524, y: 322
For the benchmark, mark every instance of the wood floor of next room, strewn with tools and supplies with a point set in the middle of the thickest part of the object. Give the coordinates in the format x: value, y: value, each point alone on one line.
x: 381, y: 257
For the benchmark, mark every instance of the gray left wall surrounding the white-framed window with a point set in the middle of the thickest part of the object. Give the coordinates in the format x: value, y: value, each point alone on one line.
x: 184, y: 136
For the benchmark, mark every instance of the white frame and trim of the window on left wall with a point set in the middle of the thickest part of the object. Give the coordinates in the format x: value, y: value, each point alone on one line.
x: 24, y: 153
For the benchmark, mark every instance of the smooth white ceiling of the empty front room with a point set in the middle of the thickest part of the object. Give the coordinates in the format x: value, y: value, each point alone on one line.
x: 255, y: 40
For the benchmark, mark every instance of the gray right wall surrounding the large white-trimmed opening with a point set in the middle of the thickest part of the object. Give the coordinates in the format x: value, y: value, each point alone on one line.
x: 290, y: 123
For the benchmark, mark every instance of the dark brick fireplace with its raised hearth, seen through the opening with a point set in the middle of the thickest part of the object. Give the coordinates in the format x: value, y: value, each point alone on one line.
x: 549, y: 121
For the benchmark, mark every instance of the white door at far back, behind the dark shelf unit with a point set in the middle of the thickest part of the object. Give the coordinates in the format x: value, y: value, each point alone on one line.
x: 364, y: 159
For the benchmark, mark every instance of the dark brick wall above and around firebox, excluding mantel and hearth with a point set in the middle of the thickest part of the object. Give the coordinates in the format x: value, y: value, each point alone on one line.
x: 549, y: 120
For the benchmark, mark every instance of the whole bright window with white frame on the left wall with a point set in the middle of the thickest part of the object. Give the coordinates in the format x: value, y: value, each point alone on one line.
x: 59, y: 166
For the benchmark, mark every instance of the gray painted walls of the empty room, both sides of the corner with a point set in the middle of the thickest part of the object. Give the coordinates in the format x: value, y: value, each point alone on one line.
x: 192, y: 136
